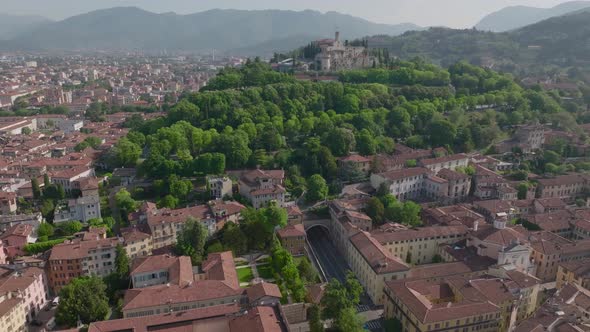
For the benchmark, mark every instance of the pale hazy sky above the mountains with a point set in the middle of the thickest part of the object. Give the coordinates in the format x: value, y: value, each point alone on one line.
x: 452, y: 13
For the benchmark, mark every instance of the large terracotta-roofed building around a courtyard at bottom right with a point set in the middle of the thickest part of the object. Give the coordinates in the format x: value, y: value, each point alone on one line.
x: 459, y: 303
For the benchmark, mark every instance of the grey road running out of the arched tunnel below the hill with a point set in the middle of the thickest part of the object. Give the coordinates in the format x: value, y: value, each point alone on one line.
x: 328, y: 256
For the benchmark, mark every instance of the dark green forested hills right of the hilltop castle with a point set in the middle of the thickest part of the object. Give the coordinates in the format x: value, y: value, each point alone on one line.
x: 561, y: 41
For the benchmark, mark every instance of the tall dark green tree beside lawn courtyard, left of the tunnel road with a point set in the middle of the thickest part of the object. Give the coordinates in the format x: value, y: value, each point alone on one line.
x: 190, y: 241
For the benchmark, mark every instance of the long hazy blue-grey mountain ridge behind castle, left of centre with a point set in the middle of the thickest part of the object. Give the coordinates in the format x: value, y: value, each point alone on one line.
x: 131, y: 28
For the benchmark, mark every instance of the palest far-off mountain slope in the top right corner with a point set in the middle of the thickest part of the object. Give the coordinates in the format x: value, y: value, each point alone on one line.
x: 515, y: 17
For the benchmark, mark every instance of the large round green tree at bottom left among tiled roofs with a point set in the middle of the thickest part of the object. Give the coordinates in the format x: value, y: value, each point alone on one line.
x: 84, y: 299
